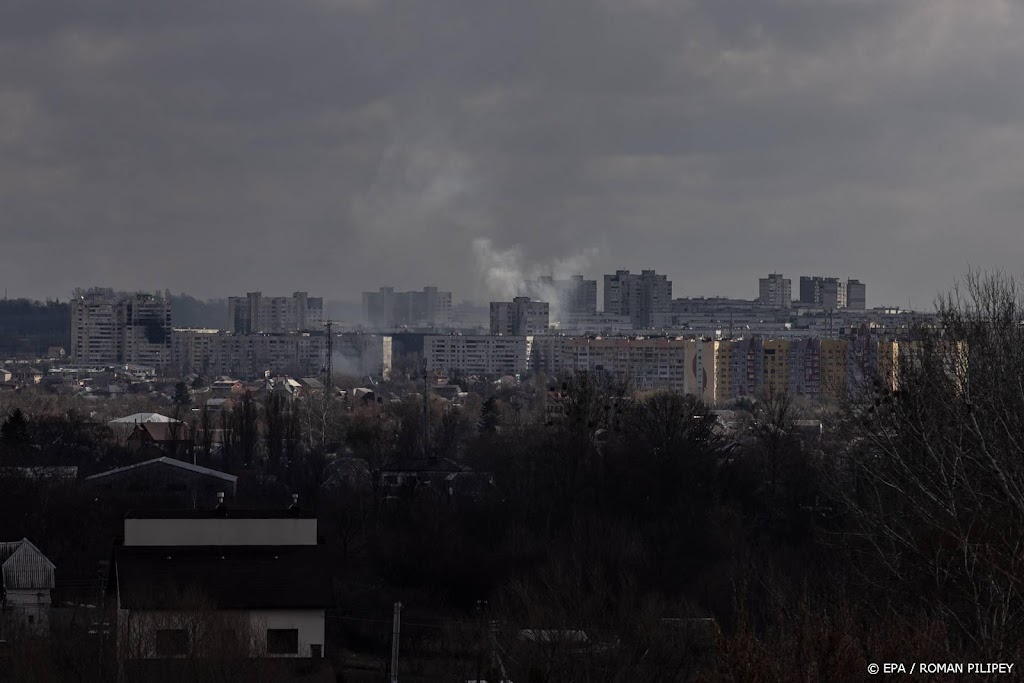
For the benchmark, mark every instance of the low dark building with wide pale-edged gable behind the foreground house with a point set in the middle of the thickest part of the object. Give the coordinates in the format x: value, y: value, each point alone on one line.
x: 166, y: 477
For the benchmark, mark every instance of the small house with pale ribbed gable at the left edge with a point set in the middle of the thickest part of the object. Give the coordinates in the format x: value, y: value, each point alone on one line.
x: 28, y: 581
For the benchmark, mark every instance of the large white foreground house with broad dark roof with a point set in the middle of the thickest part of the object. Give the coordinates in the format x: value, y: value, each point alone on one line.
x: 188, y: 584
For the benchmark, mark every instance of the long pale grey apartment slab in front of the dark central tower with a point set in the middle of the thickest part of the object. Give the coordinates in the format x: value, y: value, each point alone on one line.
x: 478, y: 355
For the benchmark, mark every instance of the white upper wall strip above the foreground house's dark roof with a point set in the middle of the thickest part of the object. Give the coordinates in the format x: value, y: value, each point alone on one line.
x: 222, y: 532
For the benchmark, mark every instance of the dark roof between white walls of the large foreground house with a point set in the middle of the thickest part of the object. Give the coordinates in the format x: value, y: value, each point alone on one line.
x: 224, y: 577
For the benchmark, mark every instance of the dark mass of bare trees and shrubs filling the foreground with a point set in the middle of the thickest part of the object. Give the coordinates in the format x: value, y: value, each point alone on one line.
x: 629, y: 538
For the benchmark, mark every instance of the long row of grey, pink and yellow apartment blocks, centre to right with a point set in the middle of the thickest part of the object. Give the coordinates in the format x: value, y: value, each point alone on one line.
x: 714, y: 370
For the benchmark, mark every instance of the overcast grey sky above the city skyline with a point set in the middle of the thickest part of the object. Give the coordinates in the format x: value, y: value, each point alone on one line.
x: 340, y: 146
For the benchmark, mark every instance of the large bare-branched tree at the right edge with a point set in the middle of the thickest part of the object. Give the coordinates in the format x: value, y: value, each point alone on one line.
x: 935, y: 478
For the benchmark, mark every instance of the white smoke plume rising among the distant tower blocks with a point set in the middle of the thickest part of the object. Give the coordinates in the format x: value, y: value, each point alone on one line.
x: 506, y: 277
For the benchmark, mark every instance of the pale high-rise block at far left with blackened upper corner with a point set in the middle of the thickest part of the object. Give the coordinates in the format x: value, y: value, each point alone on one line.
x: 109, y: 328
